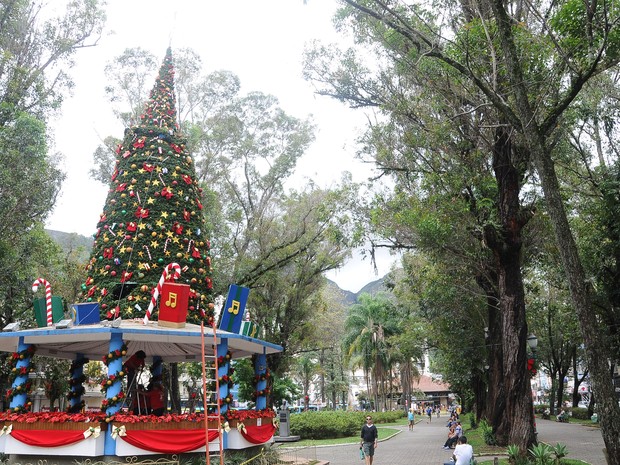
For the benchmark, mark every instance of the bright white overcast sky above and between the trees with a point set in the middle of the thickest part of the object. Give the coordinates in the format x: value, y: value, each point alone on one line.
x: 259, y: 41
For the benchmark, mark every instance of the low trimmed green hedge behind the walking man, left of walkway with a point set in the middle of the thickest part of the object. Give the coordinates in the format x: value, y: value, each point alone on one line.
x: 336, y: 424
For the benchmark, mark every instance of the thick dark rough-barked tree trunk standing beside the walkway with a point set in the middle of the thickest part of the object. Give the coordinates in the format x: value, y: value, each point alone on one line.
x: 515, y: 425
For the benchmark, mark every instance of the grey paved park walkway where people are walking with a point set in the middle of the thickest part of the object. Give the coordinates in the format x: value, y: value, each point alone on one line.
x: 424, y: 445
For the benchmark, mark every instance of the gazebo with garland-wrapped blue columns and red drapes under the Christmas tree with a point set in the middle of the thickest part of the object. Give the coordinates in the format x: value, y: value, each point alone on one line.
x: 112, y: 433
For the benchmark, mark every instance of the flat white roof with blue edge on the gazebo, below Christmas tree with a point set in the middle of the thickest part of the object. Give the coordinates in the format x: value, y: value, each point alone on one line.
x: 171, y: 344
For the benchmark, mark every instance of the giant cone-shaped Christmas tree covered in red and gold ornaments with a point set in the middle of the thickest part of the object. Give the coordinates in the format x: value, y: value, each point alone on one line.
x: 152, y: 217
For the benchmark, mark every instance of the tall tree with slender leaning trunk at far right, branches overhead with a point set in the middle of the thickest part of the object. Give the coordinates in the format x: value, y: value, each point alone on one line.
x: 583, y: 45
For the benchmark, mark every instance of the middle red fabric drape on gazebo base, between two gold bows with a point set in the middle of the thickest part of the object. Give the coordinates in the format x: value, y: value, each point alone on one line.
x: 169, y: 441
